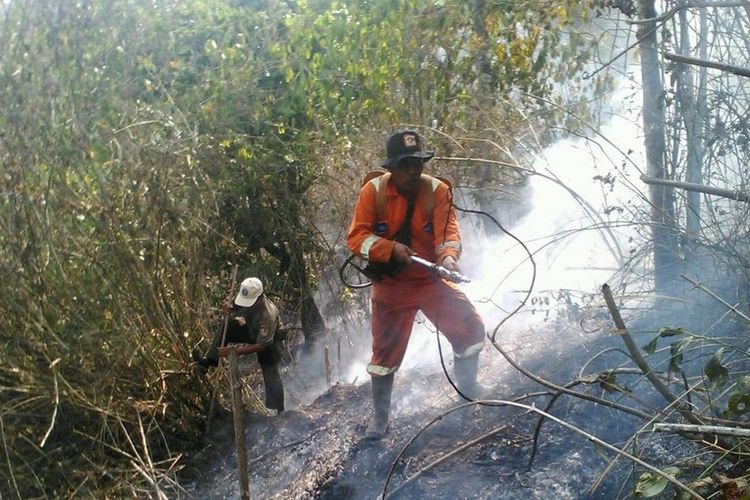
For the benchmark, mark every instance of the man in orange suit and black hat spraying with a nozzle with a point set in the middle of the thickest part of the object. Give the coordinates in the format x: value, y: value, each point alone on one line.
x: 399, y: 214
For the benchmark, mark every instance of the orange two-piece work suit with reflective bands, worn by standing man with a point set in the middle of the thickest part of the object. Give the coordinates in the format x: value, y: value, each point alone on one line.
x: 396, y: 300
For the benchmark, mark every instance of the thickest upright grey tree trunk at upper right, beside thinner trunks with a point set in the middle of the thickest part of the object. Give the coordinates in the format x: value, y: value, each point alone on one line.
x: 661, y: 197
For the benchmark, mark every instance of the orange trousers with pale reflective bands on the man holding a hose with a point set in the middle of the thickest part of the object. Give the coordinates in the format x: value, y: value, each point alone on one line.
x: 395, y: 304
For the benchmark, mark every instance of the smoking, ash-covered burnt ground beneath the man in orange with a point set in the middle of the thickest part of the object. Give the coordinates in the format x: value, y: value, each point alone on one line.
x: 316, y: 450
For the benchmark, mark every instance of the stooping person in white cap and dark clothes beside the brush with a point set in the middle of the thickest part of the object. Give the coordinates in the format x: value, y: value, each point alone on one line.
x: 254, y: 324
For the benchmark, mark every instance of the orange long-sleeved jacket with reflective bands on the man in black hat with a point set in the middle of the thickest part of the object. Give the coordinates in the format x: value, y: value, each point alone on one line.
x: 434, y: 235
